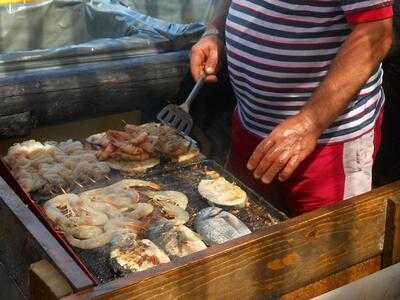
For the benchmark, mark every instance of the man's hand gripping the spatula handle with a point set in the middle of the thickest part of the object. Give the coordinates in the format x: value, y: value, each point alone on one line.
x: 206, y: 57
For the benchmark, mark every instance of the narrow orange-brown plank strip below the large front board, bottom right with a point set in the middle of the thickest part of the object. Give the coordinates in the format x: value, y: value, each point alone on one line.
x: 336, y: 280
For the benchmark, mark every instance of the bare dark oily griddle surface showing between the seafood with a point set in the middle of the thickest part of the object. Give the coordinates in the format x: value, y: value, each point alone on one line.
x: 259, y: 213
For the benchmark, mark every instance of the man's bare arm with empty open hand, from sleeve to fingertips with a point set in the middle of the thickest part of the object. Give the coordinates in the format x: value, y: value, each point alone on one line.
x: 294, y: 139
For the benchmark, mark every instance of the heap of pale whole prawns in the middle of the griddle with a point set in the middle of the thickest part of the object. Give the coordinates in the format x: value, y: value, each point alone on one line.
x: 92, y: 218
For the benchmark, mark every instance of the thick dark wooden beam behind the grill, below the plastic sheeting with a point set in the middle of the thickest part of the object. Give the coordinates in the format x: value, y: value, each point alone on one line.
x: 53, y: 95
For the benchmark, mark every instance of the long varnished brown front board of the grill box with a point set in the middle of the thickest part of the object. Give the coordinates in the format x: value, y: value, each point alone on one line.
x: 269, y: 263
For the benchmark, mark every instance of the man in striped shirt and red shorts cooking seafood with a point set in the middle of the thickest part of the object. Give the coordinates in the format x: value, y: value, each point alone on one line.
x: 307, y: 77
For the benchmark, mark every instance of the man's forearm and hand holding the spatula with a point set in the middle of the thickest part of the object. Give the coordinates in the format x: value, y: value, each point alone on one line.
x: 207, y: 52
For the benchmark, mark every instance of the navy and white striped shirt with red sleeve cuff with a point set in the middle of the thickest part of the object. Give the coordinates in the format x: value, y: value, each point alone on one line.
x: 279, y: 51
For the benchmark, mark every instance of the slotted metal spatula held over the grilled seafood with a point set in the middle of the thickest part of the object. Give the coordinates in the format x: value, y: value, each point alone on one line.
x: 178, y: 116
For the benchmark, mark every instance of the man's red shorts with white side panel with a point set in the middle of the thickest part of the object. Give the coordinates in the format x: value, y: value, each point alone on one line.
x: 329, y: 175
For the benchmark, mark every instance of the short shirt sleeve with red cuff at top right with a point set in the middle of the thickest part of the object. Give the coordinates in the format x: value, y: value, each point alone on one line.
x: 362, y: 11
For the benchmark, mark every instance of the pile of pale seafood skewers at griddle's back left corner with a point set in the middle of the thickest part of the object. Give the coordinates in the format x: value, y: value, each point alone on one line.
x: 48, y: 166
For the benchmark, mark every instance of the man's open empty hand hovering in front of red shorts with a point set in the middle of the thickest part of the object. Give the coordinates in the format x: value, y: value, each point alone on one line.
x: 284, y: 149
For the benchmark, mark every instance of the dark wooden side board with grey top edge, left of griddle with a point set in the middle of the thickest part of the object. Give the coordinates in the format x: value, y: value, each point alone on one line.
x: 21, y: 230
